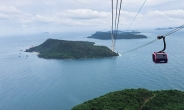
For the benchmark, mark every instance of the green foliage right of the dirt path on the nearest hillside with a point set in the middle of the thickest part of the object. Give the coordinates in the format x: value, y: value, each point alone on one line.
x: 166, y: 100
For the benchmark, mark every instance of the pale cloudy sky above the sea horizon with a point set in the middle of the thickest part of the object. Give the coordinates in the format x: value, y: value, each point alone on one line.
x: 38, y: 16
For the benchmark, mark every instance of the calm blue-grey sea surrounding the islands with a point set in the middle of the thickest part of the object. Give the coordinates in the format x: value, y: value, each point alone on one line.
x: 31, y: 83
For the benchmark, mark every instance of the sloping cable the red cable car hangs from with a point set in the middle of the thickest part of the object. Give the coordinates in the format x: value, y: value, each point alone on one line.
x: 169, y: 33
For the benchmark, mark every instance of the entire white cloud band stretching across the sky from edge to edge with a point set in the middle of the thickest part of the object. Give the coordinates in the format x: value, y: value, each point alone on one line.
x: 86, y: 17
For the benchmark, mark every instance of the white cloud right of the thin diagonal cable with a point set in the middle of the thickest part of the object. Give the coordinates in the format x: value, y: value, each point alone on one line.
x: 157, y: 18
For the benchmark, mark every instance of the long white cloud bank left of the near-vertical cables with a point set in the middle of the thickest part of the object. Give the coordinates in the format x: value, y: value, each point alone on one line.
x: 64, y: 17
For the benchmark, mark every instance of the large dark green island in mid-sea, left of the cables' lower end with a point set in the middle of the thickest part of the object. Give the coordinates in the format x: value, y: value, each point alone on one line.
x: 62, y: 49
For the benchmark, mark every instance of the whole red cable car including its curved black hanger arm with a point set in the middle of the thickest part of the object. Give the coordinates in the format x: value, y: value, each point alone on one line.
x: 161, y: 56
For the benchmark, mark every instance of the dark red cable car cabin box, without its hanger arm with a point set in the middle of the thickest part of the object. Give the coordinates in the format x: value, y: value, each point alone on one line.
x: 160, y: 57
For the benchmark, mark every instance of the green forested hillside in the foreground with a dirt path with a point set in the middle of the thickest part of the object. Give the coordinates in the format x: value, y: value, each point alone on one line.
x: 136, y: 99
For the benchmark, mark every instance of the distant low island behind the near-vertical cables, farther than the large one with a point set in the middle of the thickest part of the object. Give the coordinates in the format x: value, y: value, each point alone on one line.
x: 120, y: 35
